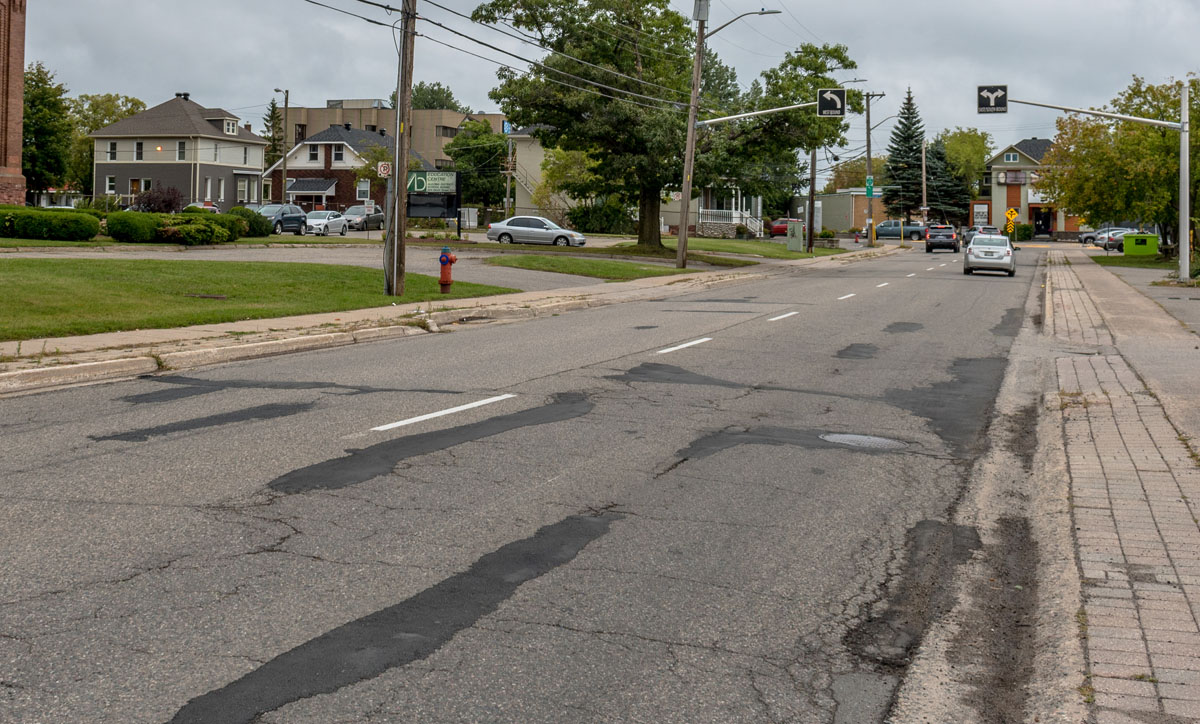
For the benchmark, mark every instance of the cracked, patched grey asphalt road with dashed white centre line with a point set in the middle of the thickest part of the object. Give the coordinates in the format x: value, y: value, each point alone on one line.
x: 647, y: 516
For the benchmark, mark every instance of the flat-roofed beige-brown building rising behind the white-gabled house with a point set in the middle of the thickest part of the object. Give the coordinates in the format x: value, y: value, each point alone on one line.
x: 429, y: 133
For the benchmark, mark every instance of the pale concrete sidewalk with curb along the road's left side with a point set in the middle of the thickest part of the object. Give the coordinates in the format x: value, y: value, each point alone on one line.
x: 46, y: 363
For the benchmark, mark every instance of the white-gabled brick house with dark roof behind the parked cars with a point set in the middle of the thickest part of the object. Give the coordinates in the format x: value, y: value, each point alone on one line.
x: 322, y: 170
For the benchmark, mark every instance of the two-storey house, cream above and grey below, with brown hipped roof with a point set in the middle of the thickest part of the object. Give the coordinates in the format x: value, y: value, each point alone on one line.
x: 205, y: 153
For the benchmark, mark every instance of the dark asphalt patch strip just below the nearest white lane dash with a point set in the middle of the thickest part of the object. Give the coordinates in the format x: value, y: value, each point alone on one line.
x: 380, y: 459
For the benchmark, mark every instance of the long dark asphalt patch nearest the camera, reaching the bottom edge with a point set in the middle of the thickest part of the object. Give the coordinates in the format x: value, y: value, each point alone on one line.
x: 397, y: 636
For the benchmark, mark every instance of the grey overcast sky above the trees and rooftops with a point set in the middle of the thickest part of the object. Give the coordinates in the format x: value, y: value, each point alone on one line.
x: 233, y: 53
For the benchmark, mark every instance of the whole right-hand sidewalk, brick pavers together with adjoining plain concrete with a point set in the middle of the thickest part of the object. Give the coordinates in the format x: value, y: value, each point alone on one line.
x: 1130, y: 404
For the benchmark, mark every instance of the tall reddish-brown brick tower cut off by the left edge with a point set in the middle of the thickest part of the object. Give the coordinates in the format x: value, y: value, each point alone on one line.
x: 13, y: 100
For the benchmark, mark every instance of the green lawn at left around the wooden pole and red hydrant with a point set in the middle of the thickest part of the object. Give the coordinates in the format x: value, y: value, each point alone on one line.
x: 50, y: 298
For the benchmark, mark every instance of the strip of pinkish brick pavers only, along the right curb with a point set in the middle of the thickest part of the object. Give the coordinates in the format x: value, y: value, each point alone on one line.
x: 1136, y: 496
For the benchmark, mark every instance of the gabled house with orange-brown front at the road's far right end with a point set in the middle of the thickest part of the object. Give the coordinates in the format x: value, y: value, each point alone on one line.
x: 1011, y: 183
